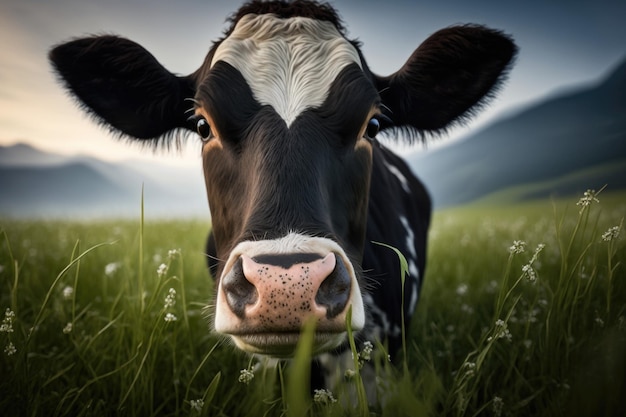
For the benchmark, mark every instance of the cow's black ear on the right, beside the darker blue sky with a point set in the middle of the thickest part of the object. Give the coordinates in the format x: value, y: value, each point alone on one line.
x: 447, y: 78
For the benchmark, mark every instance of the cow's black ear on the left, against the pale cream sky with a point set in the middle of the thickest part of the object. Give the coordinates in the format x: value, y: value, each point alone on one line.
x: 123, y: 85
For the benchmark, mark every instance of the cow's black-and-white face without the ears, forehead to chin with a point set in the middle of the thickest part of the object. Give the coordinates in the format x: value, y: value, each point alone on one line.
x: 287, y: 114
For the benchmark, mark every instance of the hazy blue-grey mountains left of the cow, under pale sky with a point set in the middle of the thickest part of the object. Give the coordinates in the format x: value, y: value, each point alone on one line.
x: 34, y: 183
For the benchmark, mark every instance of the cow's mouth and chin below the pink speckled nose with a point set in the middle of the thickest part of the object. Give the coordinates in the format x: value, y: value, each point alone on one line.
x: 283, y: 344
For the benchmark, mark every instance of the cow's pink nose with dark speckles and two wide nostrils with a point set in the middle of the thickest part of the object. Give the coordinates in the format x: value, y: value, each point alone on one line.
x: 276, y: 292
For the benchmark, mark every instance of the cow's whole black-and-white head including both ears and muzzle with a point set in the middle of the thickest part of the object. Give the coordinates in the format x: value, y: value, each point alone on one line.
x: 287, y: 111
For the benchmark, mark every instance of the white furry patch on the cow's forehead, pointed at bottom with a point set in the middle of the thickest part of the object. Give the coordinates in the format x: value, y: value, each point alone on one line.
x: 289, y: 64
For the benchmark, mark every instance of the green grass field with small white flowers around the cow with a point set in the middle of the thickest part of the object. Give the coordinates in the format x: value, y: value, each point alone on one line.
x: 523, y: 312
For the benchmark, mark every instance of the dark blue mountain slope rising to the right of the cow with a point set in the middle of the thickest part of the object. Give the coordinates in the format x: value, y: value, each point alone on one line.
x: 543, y: 150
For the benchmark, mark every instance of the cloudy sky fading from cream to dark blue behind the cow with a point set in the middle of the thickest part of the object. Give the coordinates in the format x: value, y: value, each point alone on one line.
x: 563, y: 44
